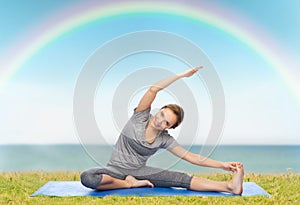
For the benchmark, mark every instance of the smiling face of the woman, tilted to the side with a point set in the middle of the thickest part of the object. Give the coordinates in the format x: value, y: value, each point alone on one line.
x: 164, y: 119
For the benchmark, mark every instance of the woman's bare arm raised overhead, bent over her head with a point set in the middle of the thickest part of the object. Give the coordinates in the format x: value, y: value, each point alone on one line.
x: 150, y: 95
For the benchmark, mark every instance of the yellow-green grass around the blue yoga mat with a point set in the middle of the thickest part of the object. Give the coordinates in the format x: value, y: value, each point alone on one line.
x: 16, y: 188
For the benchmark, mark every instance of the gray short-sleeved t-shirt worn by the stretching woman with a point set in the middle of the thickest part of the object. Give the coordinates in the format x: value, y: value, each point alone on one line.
x: 132, y: 149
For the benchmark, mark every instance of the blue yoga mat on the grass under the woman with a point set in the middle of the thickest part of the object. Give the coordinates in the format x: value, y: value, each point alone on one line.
x: 75, y: 188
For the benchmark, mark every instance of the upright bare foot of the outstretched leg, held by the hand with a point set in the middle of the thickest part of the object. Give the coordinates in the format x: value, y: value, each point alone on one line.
x: 235, y: 186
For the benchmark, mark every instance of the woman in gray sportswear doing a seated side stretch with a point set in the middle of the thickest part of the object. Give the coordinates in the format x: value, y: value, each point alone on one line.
x: 141, y: 137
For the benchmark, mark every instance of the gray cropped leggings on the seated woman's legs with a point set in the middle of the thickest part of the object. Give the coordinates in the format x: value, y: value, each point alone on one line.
x: 91, y: 178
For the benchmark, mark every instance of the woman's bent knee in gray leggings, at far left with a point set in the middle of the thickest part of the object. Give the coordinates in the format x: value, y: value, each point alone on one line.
x: 91, y: 179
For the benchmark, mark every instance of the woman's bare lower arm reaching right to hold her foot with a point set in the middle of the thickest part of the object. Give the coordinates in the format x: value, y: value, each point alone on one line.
x: 199, y: 160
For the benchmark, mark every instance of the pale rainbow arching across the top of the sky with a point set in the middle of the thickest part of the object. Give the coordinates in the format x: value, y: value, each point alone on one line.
x: 69, y: 20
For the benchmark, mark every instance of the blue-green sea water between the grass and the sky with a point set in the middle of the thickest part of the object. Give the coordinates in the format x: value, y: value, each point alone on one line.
x: 256, y: 159
